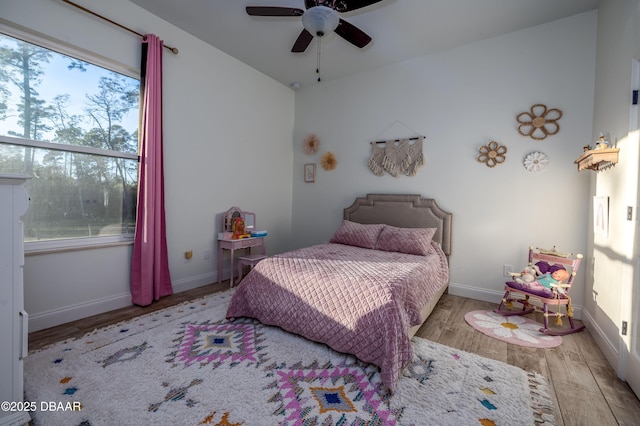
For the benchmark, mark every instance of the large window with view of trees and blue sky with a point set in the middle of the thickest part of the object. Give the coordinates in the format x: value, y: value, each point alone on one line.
x: 71, y: 126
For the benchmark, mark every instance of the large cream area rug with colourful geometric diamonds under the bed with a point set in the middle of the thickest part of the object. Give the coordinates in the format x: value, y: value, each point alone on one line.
x: 187, y: 365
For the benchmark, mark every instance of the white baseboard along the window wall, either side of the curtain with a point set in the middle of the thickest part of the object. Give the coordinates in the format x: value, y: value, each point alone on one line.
x: 40, y: 321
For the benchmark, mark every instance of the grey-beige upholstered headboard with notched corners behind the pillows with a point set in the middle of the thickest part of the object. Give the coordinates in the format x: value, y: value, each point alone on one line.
x: 405, y: 211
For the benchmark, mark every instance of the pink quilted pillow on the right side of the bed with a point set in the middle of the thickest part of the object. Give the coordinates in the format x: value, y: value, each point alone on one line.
x: 406, y: 240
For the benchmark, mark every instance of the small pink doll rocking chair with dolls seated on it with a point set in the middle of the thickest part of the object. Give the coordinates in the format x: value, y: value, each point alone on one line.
x: 549, y: 291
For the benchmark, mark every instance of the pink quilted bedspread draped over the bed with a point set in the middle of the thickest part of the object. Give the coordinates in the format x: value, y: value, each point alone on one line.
x: 355, y: 300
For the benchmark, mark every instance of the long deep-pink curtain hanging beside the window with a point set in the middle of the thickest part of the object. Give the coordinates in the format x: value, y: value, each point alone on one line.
x: 150, y: 277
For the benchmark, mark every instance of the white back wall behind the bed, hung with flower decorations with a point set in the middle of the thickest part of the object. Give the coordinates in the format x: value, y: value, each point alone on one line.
x: 461, y: 99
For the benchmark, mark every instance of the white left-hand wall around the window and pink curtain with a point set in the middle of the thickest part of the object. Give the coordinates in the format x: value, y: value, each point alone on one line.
x: 228, y: 135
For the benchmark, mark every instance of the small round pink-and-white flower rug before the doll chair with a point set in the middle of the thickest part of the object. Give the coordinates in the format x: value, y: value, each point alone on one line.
x: 511, y: 329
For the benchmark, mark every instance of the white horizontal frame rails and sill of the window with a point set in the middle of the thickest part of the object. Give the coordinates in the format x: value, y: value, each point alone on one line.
x: 71, y: 244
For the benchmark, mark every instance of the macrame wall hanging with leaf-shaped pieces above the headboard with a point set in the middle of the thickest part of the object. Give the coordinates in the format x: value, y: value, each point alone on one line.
x: 397, y: 156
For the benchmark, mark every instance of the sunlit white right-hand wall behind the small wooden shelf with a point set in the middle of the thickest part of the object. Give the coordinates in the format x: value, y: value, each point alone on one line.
x: 609, y: 295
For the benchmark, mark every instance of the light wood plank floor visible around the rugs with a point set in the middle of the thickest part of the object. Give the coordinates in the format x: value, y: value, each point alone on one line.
x: 586, y: 390
